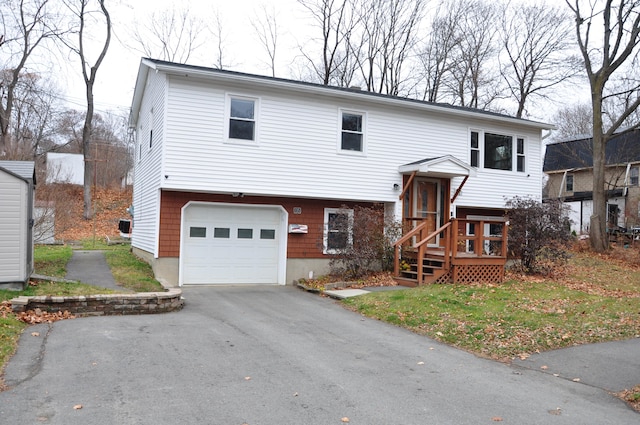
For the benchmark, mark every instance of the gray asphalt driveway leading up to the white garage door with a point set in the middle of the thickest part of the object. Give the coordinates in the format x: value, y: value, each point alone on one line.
x: 275, y: 356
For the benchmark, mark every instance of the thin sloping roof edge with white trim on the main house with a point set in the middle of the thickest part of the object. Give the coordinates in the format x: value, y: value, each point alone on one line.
x: 172, y: 68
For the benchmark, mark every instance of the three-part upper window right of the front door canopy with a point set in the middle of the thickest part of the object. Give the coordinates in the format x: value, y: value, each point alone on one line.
x: 497, y: 151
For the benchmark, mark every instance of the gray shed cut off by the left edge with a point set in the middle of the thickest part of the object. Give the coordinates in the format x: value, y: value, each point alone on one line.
x: 17, y: 183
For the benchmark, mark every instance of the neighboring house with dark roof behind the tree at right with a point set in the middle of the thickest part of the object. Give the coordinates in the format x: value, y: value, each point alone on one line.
x: 569, y: 167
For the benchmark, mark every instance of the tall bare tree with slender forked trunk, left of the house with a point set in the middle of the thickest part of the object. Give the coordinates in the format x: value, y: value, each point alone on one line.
x: 85, y: 16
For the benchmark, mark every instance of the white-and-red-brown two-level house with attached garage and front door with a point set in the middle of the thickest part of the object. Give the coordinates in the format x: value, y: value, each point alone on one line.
x: 239, y: 177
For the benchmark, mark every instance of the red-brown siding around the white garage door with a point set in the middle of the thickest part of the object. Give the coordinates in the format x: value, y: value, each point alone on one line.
x: 307, y: 245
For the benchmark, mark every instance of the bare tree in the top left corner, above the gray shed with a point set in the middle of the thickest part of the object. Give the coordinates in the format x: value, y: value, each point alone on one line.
x: 28, y: 24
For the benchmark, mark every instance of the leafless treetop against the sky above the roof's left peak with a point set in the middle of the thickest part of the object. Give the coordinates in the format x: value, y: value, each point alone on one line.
x: 172, y: 34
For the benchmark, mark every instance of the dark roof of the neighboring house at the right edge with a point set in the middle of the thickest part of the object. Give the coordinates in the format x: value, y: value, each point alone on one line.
x: 578, y: 153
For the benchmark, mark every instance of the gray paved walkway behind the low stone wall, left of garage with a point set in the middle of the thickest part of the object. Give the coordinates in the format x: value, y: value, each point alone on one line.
x: 91, y: 267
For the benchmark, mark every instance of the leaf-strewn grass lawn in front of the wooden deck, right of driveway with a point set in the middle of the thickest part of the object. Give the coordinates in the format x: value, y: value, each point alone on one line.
x: 595, y: 299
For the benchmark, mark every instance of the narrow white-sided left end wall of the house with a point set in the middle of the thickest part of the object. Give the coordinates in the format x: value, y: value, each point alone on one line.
x: 148, y: 169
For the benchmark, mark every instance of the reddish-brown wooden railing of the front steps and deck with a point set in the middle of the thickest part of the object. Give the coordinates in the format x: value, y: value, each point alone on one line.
x: 455, y: 242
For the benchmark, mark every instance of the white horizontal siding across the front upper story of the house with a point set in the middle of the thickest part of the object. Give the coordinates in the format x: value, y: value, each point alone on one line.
x: 297, y: 157
